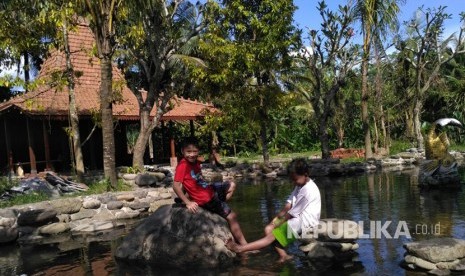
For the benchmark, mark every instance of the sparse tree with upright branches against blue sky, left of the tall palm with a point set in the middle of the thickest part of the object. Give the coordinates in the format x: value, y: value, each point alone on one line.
x: 321, y: 70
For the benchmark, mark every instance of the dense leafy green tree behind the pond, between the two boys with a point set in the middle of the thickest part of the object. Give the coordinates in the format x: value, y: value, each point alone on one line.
x: 247, y: 47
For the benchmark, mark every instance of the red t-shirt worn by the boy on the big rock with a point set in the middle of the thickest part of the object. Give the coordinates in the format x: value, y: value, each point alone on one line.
x: 190, y: 175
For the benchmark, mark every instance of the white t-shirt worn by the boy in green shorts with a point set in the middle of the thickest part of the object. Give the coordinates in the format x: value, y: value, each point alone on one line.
x: 305, y: 207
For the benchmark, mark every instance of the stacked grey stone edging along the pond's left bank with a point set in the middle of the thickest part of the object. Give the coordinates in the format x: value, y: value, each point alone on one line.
x: 33, y: 222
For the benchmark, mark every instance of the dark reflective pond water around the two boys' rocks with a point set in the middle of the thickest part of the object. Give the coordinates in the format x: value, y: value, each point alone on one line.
x: 384, y: 200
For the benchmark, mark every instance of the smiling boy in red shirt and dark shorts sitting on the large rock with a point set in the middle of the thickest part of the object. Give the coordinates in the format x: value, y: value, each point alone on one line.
x: 188, y: 176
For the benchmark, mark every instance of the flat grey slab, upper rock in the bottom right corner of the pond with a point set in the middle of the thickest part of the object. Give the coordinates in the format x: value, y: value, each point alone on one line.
x: 437, y: 250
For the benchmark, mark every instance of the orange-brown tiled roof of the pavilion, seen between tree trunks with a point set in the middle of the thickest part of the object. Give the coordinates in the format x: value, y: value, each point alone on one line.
x: 52, y: 102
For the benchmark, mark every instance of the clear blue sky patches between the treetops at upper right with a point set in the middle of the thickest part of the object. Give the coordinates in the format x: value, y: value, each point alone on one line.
x: 307, y: 14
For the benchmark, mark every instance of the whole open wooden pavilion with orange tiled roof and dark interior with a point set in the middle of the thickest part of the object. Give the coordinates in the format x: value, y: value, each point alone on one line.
x: 34, y: 125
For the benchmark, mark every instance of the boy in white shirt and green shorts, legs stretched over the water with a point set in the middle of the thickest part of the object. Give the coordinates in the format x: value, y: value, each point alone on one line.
x: 301, y: 213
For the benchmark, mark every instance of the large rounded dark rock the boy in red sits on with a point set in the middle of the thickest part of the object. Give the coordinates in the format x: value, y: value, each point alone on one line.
x: 174, y: 237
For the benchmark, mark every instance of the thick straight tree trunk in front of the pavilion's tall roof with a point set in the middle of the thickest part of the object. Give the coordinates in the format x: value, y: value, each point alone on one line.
x: 106, y: 109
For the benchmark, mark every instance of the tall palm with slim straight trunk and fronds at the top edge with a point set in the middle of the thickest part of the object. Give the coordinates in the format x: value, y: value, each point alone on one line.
x: 376, y: 18
